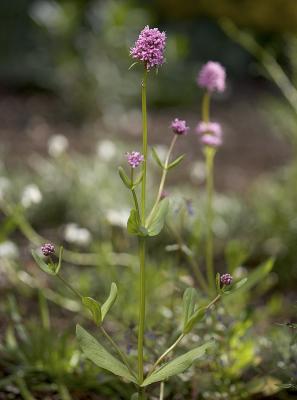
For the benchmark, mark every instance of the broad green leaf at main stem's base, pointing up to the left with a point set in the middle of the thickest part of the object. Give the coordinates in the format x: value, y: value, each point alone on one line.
x: 95, y: 352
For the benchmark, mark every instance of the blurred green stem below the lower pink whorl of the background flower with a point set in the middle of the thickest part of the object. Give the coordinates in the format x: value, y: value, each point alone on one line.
x: 209, y: 154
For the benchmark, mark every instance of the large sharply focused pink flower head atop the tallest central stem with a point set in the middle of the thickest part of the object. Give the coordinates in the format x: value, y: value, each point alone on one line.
x: 149, y: 47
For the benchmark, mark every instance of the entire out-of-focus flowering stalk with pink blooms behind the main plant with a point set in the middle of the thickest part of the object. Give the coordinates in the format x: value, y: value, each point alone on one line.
x: 212, y: 78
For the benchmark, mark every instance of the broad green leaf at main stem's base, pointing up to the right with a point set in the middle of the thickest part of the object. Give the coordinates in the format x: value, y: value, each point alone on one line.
x: 178, y: 365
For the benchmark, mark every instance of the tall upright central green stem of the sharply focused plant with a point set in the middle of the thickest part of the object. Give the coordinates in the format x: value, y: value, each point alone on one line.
x: 142, y: 242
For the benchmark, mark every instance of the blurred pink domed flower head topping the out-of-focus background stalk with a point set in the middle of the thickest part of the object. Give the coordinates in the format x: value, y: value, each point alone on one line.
x: 212, y: 77
